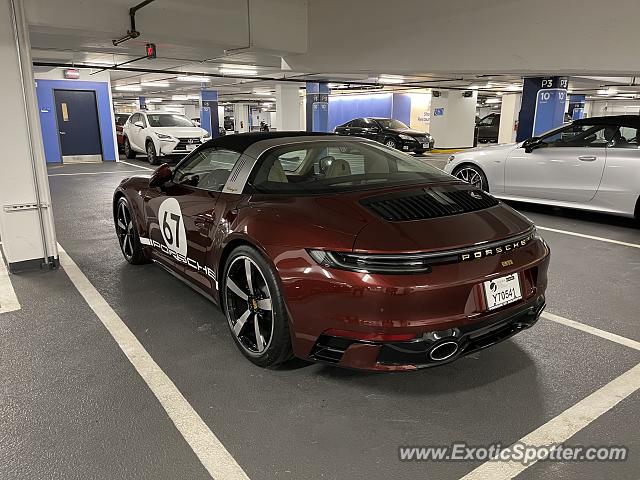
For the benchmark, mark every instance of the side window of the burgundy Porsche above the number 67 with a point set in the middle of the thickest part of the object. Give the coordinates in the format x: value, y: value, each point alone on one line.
x: 207, y: 169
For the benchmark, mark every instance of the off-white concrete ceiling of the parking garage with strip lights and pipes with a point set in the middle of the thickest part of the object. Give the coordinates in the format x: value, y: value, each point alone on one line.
x: 488, y: 45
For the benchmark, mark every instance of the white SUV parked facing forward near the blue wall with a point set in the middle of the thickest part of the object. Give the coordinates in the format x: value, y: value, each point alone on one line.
x: 158, y: 134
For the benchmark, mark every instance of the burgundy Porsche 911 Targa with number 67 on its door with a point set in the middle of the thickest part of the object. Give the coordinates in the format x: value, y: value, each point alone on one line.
x: 337, y: 250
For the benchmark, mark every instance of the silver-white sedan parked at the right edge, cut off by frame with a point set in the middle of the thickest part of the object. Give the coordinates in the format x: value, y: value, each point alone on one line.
x: 589, y: 164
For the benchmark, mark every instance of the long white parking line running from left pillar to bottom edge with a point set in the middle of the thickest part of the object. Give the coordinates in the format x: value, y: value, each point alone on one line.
x: 204, y: 443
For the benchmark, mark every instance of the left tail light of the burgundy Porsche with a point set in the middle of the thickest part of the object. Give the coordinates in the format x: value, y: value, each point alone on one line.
x: 371, y: 263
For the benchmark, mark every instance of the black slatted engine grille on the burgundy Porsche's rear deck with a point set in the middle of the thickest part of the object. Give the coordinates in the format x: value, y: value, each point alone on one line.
x: 425, y: 203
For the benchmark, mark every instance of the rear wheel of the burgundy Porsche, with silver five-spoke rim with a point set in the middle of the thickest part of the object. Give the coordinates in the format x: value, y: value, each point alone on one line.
x: 254, y: 307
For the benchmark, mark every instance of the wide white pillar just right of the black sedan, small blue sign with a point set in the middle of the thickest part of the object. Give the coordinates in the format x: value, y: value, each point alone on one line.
x: 453, y: 114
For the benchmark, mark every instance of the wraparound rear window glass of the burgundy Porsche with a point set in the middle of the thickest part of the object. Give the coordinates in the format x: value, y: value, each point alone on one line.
x: 337, y: 166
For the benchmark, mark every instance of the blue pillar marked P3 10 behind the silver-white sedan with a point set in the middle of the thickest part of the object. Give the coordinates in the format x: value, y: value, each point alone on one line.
x: 543, y: 102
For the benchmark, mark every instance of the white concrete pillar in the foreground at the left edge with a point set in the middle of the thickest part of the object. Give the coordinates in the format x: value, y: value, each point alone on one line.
x: 26, y: 220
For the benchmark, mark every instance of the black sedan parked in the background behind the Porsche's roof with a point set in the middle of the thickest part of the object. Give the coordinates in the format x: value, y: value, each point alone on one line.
x: 392, y: 133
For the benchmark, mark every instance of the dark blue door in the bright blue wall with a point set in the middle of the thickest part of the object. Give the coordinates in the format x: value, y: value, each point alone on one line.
x: 78, y: 125
